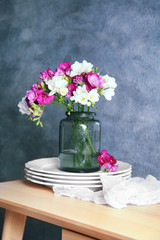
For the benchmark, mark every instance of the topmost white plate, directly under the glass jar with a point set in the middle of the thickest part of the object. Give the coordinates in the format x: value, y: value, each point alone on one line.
x: 50, y: 166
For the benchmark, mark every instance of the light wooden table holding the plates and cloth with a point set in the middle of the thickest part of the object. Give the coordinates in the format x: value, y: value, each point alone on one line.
x: 79, y: 220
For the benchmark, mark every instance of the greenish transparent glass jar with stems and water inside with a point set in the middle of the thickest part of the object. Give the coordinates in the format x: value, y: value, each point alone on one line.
x: 79, y: 142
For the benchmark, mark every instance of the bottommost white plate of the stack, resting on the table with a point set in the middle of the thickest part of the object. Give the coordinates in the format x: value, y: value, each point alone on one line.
x: 47, y: 184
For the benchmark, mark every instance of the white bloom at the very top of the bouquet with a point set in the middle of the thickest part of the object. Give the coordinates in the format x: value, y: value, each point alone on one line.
x: 78, y: 68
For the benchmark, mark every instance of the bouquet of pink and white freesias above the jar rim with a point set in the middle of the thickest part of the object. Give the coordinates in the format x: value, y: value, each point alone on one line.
x: 75, y: 87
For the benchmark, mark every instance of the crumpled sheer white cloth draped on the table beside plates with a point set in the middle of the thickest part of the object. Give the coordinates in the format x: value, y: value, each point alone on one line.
x: 117, y: 191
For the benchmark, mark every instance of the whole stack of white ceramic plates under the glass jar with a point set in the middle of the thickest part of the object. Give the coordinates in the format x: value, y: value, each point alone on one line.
x: 45, y: 172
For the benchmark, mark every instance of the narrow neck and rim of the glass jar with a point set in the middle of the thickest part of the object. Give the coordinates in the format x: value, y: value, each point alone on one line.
x: 81, y: 115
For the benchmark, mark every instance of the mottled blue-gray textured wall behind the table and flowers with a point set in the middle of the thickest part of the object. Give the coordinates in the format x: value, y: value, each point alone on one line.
x: 121, y: 38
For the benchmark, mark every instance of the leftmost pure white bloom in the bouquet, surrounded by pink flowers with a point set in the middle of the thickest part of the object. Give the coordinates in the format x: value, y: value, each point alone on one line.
x: 56, y: 85
